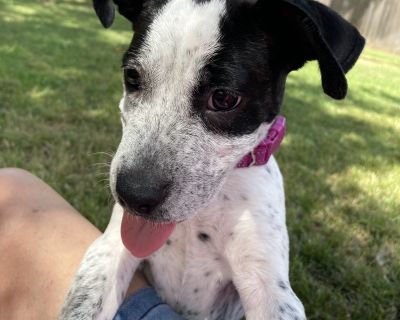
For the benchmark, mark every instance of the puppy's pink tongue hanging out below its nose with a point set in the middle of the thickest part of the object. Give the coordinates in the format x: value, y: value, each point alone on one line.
x: 142, y: 237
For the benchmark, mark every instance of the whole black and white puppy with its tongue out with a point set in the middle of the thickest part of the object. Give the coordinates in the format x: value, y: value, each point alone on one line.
x: 203, y: 85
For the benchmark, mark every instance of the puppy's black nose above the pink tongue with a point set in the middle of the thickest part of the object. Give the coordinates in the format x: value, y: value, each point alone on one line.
x: 141, y: 191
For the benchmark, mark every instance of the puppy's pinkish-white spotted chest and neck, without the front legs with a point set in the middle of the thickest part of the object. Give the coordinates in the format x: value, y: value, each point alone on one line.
x: 190, y: 272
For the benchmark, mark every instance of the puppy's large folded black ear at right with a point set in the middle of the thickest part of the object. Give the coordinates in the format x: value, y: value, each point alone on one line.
x: 325, y: 36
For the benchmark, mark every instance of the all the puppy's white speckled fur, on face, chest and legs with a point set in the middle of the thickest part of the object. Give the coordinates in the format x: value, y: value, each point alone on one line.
x: 233, y: 240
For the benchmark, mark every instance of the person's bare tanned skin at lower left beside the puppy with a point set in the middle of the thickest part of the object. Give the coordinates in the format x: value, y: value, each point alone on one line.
x: 42, y: 241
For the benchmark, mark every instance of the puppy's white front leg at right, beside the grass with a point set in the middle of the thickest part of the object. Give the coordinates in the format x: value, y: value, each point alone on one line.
x: 257, y: 252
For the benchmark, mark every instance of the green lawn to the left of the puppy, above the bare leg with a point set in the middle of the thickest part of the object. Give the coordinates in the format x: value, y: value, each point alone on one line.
x: 59, y: 90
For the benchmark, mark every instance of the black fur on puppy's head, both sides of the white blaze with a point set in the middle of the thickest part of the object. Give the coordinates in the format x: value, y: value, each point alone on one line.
x: 261, y: 42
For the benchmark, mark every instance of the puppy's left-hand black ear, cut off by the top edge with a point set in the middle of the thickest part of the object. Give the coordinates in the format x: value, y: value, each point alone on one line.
x: 105, y: 10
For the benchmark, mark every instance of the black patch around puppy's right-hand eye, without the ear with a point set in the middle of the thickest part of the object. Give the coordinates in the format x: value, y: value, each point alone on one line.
x: 247, y: 64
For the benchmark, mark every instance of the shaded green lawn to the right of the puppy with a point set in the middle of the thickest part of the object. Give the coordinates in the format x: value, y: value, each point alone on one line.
x: 345, y: 264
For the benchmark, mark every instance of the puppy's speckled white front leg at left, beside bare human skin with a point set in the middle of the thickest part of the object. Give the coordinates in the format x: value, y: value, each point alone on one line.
x: 103, y: 277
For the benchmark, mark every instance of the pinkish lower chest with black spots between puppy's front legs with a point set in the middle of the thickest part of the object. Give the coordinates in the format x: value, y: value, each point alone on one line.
x: 190, y: 272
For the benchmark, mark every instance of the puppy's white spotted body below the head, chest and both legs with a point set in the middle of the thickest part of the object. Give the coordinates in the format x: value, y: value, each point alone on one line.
x: 245, y: 253
